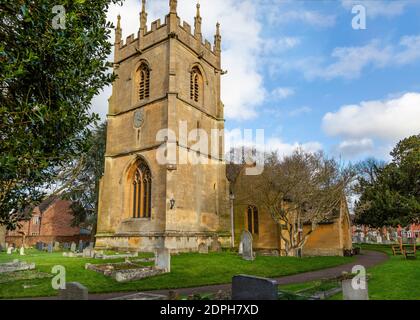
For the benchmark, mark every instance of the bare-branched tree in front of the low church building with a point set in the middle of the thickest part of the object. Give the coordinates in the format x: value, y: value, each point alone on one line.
x: 303, y: 188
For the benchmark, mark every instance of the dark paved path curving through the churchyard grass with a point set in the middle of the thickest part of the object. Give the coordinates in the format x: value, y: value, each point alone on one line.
x: 366, y: 259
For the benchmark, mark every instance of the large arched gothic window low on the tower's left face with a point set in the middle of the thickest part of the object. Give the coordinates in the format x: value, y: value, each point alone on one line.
x: 141, y: 191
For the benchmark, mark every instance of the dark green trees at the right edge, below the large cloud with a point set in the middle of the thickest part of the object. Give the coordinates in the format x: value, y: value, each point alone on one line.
x: 391, y: 194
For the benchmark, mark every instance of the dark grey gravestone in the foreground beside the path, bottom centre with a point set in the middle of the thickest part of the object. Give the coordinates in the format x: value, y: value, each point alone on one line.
x: 246, y: 287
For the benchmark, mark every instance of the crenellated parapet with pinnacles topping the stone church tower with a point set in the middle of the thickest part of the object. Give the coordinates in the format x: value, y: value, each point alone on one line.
x: 172, y: 27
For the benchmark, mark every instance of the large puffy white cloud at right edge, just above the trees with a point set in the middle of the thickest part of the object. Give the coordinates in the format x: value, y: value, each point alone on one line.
x: 388, y: 120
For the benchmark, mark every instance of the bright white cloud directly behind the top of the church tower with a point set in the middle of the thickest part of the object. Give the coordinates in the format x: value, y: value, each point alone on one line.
x: 241, y: 41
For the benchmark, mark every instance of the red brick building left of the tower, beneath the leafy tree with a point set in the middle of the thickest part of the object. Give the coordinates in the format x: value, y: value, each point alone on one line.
x: 51, y: 221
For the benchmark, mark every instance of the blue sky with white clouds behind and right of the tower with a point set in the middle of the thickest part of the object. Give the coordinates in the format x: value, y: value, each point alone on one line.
x: 298, y: 70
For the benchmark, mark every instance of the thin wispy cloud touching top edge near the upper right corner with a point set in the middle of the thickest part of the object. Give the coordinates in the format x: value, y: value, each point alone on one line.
x: 380, y: 8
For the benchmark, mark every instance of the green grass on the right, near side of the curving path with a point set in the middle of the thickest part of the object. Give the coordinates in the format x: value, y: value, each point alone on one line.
x: 395, y: 279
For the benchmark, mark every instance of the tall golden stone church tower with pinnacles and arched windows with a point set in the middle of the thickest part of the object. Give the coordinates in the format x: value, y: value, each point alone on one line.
x: 168, y: 81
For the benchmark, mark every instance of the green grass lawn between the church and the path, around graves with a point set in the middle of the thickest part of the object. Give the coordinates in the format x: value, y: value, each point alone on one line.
x: 187, y: 270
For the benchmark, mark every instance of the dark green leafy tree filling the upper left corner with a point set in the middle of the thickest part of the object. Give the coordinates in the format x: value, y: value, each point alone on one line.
x: 48, y: 78
